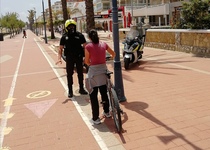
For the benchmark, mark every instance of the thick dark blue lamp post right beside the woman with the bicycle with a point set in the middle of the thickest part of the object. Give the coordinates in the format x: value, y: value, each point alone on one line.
x: 117, y: 64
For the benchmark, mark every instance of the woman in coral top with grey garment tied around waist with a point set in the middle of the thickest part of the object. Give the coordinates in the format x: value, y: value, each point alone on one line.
x: 95, y: 58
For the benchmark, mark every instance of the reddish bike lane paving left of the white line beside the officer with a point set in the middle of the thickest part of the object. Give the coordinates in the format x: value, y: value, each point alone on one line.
x: 33, y: 113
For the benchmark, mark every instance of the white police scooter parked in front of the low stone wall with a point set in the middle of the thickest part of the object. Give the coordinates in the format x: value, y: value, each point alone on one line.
x: 133, y: 46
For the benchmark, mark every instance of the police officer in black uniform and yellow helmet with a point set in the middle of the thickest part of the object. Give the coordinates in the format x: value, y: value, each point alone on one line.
x: 71, y: 42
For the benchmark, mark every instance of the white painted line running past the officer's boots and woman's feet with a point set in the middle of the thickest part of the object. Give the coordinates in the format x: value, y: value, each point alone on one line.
x: 97, y: 137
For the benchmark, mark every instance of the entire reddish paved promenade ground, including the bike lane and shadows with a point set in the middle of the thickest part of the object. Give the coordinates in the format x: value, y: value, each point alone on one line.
x: 167, y: 107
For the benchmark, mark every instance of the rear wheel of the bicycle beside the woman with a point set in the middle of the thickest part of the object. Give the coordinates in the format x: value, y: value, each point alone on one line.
x: 116, y: 111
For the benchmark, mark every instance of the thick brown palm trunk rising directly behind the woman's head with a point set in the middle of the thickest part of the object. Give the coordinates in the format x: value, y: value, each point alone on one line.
x: 89, y: 15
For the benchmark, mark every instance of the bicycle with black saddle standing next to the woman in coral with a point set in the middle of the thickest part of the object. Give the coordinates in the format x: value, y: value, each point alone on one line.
x: 114, y: 106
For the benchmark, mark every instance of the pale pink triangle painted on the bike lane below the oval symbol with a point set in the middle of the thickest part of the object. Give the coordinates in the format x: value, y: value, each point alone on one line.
x: 40, y: 108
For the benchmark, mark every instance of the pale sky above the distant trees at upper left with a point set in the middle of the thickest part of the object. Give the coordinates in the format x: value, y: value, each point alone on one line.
x: 22, y: 6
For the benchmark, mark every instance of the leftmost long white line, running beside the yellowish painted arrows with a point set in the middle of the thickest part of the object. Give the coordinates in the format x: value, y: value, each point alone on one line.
x: 11, y: 93
